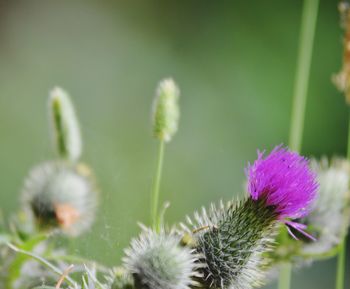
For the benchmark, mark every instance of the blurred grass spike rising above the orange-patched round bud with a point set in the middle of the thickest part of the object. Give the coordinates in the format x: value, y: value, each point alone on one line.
x: 64, y: 125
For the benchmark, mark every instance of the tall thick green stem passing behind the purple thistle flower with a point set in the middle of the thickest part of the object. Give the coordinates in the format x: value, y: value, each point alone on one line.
x: 307, y: 33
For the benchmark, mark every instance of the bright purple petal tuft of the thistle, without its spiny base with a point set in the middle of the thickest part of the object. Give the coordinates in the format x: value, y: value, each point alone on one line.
x: 285, y: 181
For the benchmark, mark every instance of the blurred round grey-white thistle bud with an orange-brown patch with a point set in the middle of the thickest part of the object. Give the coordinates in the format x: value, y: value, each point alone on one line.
x: 61, y: 195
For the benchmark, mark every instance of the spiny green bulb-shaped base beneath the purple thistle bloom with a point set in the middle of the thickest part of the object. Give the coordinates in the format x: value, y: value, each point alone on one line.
x: 232, y: 240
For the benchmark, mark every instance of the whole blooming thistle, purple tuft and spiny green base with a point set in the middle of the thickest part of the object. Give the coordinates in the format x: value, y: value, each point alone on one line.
x: 233, y: 238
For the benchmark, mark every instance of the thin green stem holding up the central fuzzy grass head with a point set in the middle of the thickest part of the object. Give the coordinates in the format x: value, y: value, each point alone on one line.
x: 156, y: 185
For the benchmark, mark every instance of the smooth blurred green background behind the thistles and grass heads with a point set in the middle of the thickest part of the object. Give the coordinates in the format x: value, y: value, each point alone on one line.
x: 234, y: 62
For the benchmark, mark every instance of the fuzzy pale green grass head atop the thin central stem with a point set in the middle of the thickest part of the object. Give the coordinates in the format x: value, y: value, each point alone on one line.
x: 166, y: 111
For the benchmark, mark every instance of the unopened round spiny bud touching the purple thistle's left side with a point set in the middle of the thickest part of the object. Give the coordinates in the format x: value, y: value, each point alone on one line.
x: 157, y: 260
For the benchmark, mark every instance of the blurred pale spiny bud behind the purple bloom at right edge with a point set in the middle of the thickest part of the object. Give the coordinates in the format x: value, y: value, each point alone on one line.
x: 330, y: 216
